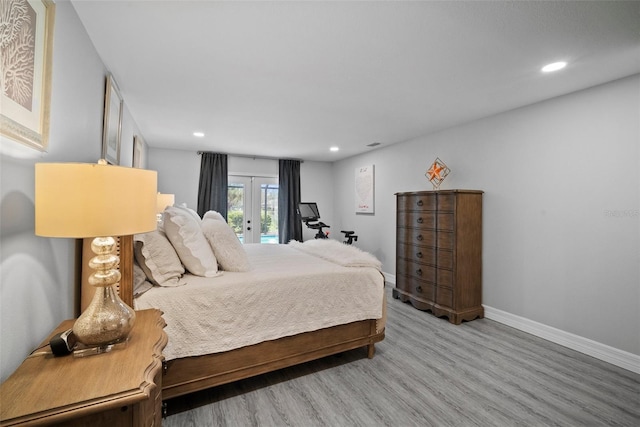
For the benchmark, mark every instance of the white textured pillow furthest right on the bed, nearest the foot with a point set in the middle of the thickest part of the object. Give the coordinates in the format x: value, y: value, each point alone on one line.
x: 225, y: 244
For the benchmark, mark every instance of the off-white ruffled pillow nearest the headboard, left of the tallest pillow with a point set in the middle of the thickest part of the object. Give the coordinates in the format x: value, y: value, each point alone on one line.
x: 158, y: 259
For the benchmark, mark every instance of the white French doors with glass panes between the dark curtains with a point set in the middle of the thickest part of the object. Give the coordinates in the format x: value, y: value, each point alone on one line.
x: 253, y: 208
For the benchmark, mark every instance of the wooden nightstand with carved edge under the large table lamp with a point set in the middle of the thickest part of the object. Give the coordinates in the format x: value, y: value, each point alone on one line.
x: 119, y: 388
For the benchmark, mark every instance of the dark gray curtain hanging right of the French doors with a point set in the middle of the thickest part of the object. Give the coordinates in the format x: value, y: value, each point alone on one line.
x: 289, y: 223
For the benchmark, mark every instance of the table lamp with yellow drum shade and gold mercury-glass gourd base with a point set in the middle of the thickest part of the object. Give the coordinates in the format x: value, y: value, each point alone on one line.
x: 81, y: 200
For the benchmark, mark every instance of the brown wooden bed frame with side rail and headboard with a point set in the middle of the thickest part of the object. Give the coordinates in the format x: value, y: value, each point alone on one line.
x: 189, y: 374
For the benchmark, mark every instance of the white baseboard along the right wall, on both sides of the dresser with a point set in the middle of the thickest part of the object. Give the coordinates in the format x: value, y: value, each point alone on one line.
x: 620, y: 358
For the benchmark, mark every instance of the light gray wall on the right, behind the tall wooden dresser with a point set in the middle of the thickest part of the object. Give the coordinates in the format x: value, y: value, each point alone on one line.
x: 560, y: 220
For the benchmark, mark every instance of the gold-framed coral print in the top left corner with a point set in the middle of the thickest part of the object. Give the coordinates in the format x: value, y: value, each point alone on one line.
x: 26, y: 44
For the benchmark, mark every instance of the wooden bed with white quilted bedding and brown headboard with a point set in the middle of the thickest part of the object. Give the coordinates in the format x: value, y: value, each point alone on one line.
x: 296, y: 303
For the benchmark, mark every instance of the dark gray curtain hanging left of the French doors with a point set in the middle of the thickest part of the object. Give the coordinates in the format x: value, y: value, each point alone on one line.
x: 212, y: 189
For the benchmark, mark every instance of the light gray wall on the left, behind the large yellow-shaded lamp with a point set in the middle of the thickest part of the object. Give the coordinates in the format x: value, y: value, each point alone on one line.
x: 38, y: 275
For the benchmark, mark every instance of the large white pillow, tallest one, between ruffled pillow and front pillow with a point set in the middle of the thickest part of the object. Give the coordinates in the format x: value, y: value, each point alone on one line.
x: 184, y: 233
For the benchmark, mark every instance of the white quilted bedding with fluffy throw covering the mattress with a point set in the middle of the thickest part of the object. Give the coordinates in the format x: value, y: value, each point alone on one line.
x: 290, y: 289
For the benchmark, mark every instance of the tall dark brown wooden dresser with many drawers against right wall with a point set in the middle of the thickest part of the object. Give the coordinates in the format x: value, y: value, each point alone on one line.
x: 439, y: 252
